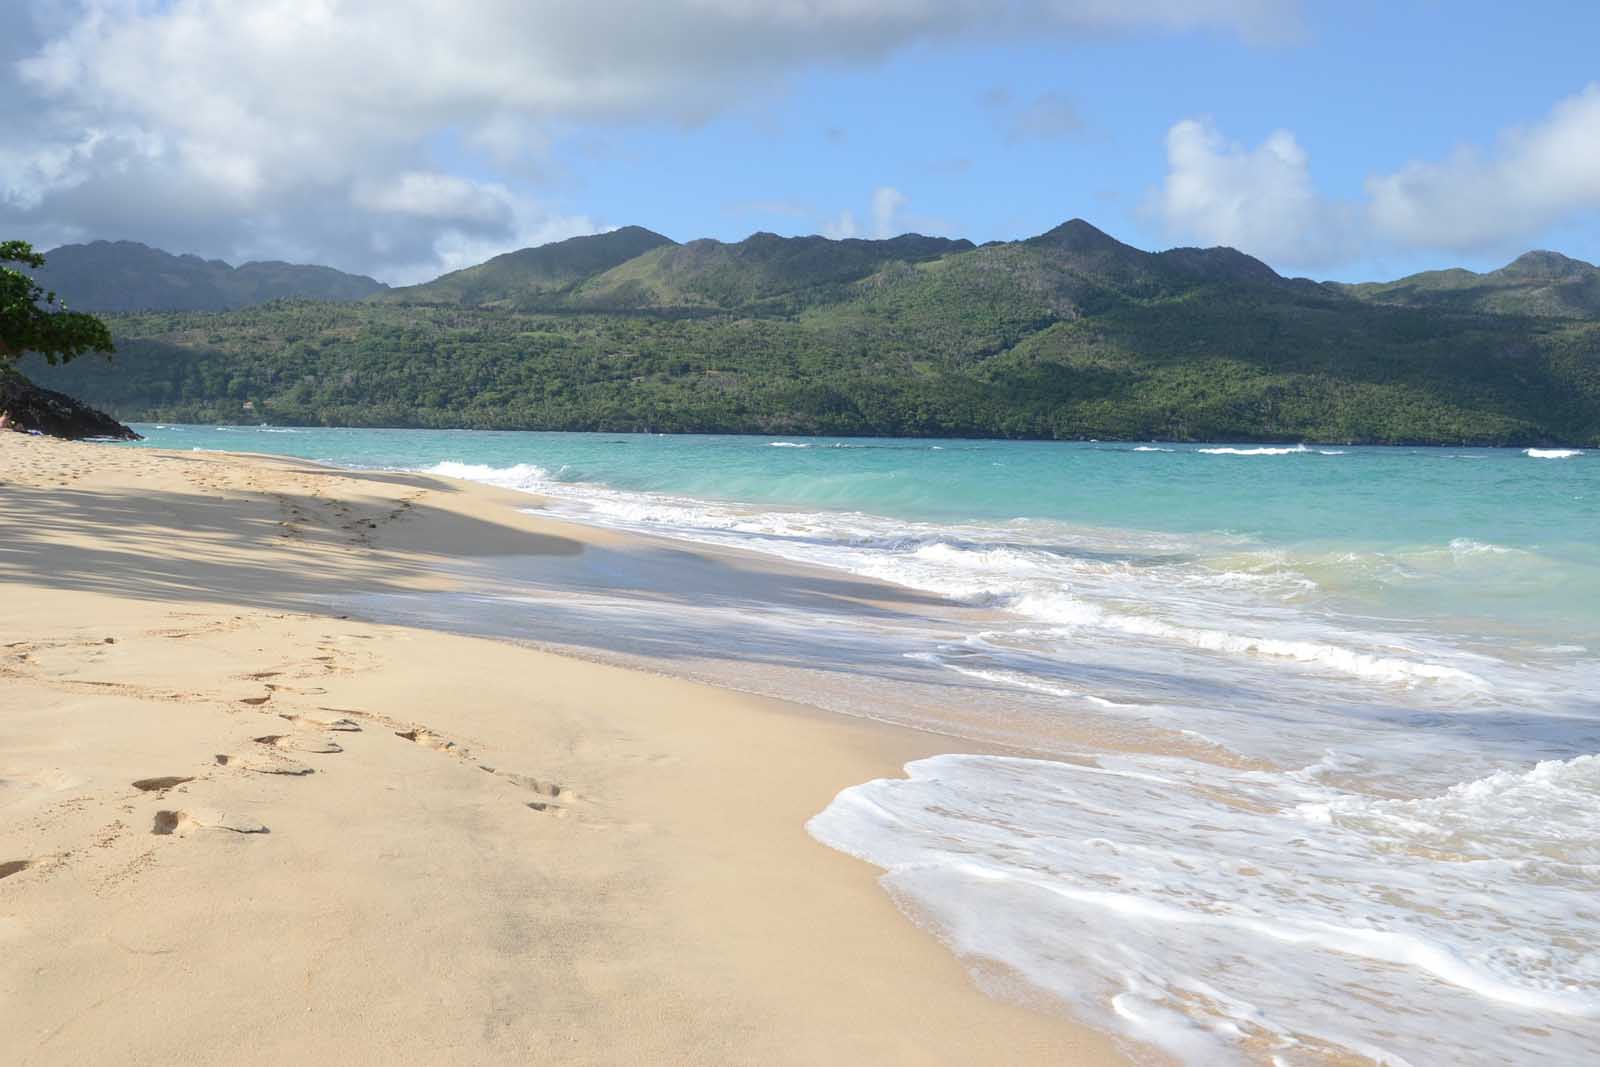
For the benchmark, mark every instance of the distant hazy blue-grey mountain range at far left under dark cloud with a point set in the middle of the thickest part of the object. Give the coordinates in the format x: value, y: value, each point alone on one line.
x: 127, y: 276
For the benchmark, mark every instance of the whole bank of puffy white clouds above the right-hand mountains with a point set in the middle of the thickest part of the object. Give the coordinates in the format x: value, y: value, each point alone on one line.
x: 1263, y: 199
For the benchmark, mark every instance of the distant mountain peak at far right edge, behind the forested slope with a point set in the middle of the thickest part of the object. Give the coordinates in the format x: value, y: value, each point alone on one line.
x: 1543, y: 284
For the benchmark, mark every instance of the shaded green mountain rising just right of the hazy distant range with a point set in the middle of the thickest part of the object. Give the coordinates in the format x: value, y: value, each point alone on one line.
x: 534, y: 276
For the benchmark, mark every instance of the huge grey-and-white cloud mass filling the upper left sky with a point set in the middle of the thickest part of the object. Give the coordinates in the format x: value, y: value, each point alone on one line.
x: 279, y: 126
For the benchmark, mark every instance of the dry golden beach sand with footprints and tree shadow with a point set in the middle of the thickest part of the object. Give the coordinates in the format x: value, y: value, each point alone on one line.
x: 239, y: 829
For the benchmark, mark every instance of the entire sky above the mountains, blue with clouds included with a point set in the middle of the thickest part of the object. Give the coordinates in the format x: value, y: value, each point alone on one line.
x: 1255, y: 124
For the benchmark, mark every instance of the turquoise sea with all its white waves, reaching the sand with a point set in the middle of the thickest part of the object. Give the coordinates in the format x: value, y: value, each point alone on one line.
x: 1350, y: 791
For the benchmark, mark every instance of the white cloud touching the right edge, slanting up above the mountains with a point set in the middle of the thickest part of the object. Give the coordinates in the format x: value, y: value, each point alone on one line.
x: 1535, y: 177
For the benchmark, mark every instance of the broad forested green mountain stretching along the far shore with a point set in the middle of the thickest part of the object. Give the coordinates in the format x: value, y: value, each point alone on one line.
x: 1066, y: 335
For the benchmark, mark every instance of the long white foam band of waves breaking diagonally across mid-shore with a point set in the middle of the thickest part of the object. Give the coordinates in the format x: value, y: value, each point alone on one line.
x: 975, y: 567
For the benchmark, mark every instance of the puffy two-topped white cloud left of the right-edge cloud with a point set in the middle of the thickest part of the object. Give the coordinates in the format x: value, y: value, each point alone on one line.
x: 1260, y: 201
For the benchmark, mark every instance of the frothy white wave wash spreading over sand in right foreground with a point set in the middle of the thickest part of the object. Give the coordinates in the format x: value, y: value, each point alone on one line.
x: 1207, y: 909
